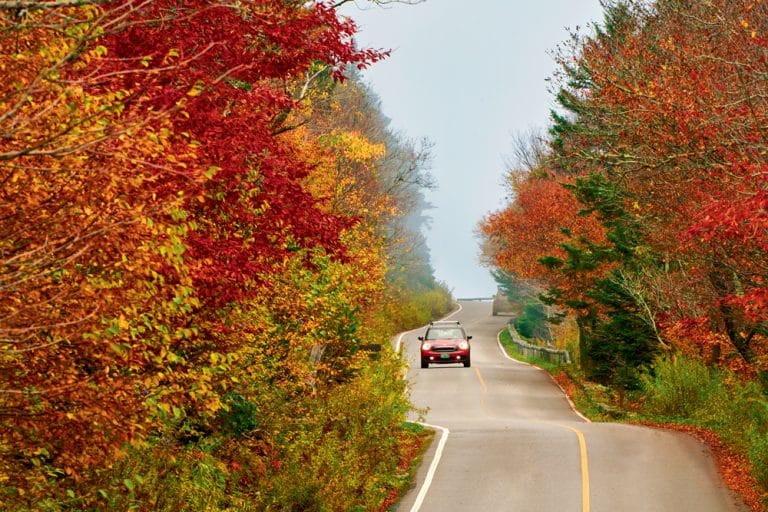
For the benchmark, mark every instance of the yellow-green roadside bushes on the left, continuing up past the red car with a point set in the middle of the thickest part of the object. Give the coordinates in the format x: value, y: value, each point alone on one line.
x: 276, y: 445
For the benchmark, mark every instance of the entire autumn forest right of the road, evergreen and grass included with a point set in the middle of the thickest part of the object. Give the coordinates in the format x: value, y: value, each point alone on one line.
x: 642, y: 211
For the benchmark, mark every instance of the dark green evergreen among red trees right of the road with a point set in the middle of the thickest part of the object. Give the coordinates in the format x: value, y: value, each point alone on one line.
x: 617, y: 340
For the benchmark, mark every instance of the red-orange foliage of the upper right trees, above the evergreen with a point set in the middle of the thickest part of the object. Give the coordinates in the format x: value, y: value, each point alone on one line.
x: 669, y: 105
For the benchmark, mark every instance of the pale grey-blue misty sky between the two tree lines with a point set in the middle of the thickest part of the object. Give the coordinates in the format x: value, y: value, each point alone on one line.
x: 469, y: 76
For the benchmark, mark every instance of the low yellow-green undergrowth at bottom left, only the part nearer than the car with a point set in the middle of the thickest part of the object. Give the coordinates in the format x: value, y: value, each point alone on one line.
x: 336, y: 450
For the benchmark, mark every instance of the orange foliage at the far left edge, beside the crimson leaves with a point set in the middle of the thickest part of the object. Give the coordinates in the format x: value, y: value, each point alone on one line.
x: 85, y: 235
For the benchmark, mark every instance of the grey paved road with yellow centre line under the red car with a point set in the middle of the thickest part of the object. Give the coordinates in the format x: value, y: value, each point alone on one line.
x: 514, y: 444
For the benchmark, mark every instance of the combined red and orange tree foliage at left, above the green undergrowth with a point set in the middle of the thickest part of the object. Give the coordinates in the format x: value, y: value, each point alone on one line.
x: 146, y: 190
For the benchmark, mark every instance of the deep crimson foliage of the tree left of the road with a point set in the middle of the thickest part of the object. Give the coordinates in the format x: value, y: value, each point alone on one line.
x: 239, y: 62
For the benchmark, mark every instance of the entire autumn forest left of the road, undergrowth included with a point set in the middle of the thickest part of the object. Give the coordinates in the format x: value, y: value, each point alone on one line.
x: 208, y: 234
